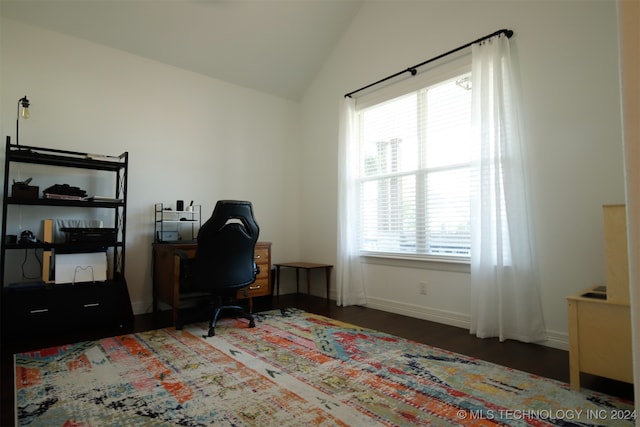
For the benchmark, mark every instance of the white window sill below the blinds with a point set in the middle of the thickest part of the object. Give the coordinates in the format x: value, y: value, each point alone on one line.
x: 456, y: 265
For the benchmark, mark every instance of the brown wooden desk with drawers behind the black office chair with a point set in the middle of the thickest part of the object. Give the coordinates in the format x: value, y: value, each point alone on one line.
x: 166, y: 275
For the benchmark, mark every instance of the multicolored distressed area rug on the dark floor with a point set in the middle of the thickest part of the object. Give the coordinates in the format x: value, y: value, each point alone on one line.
x: 296, y: 369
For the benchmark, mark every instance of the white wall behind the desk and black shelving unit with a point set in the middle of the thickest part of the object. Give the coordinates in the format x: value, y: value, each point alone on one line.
x: 188, y: 136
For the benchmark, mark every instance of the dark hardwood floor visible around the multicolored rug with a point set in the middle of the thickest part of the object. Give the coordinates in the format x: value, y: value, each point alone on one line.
x: 536, y: 359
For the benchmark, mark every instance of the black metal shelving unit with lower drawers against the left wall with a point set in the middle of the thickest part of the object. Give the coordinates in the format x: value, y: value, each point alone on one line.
x: 39, y: 307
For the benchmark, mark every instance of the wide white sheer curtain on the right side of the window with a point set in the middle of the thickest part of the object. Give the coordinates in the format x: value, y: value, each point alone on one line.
x: 505, y: 299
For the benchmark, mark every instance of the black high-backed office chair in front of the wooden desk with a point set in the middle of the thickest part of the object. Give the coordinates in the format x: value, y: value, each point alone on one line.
x: 224, y: 261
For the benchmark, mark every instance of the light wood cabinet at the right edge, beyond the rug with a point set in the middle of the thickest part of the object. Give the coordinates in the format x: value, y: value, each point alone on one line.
x: 599, y: 338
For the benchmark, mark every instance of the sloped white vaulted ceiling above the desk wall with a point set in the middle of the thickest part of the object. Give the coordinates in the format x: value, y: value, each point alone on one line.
x: 274, y: 46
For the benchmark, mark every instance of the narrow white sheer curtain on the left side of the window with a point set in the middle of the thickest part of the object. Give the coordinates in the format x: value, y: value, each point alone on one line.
x: 350, y: 283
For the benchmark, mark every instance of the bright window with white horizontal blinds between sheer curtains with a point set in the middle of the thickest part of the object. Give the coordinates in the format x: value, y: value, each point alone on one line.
x: 414, y: 177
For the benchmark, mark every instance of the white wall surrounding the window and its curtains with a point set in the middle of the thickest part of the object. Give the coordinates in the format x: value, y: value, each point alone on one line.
x: 567, y: 55
